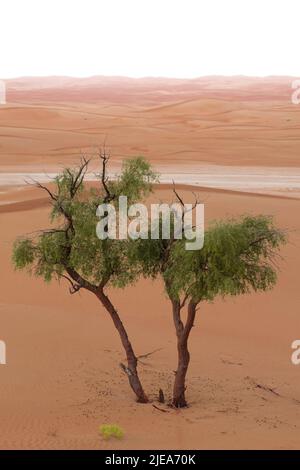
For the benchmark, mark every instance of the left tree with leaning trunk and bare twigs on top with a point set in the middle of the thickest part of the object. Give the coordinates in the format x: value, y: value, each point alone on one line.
x: 72, y: 250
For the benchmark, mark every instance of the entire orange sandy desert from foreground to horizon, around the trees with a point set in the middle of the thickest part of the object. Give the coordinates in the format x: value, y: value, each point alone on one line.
x: 236, y: 143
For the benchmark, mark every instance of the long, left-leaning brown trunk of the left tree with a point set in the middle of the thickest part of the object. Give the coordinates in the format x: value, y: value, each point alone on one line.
x: 131, y: 369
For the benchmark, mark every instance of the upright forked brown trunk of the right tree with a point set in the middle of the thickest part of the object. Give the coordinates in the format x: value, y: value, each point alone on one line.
x: 182, y: 332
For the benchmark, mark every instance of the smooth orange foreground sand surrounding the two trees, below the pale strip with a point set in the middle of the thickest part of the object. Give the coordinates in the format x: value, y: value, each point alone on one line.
x: 62, y: 379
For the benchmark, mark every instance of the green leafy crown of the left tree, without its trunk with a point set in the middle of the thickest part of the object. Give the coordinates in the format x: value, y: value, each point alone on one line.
x: 74, y: 243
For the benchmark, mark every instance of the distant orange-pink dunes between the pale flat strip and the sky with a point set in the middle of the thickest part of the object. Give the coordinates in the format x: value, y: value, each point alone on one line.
x: 239, y: 121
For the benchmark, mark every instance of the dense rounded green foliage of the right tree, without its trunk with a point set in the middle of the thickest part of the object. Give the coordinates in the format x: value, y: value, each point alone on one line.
x: 238, y: 255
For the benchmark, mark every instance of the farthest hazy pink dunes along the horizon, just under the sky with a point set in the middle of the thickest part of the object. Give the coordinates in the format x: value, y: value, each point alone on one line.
x: 117, y: 89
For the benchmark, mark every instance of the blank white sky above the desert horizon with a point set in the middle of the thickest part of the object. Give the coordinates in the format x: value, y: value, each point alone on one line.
x: 175, y: 38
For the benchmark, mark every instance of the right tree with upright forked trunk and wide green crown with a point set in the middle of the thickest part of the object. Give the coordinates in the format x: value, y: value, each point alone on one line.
x: 238, y: 256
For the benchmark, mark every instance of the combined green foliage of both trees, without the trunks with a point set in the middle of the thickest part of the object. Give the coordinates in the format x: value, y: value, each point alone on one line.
x: 238, y: 256
